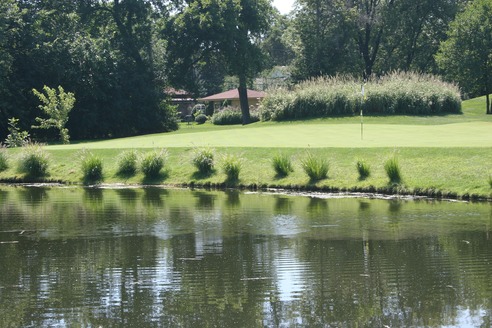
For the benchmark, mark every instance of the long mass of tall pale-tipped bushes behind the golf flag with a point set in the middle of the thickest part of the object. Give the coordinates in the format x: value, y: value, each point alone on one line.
x: 396, y: 93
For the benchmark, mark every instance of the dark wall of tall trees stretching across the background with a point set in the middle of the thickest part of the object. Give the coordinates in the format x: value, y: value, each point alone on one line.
x: 118, y: 56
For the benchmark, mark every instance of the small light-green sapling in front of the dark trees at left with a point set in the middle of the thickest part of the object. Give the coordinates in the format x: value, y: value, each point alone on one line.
x: 57, y: 105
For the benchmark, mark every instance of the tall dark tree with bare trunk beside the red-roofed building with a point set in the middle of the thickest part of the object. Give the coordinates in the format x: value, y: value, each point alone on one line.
x: 232, y: 28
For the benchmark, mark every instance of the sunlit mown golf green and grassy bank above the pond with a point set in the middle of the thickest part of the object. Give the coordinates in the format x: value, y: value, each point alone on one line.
x: 446, y: 156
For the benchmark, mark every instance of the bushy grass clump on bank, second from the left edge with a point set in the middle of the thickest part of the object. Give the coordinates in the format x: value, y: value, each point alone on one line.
x: 33, y: 161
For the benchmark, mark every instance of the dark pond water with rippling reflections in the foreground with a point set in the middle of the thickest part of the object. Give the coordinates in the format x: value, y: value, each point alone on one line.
x: 179, y: 258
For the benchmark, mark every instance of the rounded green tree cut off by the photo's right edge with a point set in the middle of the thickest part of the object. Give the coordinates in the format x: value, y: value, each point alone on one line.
x: 466, y: 56
